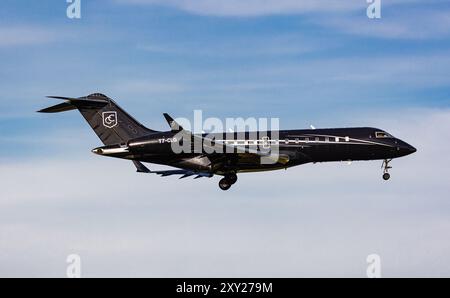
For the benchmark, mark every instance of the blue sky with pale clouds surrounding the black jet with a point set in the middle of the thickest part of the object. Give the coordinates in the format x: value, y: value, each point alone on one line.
x: 306, y: 62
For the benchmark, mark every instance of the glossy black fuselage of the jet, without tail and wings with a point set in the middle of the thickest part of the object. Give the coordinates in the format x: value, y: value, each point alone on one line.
x: 298, y: 146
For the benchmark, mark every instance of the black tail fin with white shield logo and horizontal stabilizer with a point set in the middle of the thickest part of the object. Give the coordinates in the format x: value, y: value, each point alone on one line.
x: 110, y: 122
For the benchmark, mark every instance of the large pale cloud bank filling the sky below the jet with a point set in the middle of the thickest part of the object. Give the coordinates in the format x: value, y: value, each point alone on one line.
x: 313, y: 220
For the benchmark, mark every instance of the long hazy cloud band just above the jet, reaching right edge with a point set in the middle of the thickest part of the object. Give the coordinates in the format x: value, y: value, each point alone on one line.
x: 342, y: 75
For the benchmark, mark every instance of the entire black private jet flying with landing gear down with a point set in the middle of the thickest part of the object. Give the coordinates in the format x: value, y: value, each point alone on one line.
x: 229, y: 153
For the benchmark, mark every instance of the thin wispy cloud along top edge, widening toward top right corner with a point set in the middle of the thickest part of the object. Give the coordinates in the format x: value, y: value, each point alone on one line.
x: 400, y: 18
